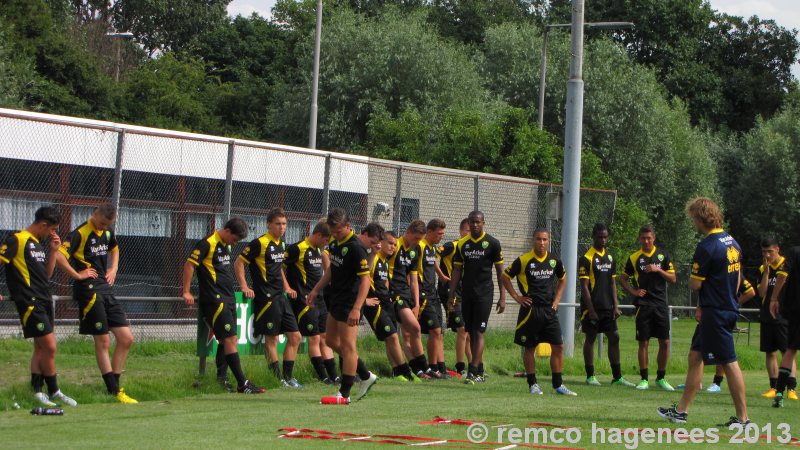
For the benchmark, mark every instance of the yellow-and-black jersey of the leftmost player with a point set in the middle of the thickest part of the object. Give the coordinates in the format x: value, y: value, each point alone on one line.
x: 26, y: 271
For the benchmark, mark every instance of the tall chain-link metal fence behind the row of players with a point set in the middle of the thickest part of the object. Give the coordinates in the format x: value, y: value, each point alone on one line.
x: 173, y: 188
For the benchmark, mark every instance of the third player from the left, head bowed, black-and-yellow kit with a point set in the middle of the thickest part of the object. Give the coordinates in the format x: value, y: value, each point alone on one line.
x: 212, y: 258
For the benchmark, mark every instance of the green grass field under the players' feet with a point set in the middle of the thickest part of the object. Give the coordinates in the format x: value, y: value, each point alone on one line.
x: 173, y: 414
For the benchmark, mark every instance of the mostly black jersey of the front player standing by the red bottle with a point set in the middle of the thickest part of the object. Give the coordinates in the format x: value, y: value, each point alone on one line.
x: 349, y: 262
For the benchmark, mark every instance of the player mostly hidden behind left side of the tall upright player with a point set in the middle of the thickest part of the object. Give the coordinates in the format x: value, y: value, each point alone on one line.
x: 455, y: 321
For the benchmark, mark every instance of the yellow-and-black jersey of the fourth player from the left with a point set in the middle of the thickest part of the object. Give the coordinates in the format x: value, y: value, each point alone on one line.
x: 264, y: 255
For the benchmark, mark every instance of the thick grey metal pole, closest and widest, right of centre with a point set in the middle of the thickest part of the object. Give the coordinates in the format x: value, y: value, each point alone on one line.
x: 572, y: 175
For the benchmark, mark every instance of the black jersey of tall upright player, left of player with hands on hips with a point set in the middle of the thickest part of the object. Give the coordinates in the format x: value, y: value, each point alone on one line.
x: 477, y: 257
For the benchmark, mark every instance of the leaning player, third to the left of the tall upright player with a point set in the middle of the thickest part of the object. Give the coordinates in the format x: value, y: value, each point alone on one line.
x: 404, y: 289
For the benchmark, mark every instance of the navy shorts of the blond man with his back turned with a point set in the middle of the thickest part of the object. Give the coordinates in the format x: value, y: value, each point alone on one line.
x: 713, y: 337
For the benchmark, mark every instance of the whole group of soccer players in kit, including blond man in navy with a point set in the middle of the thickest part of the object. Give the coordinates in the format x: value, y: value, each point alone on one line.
x: 321, y: 287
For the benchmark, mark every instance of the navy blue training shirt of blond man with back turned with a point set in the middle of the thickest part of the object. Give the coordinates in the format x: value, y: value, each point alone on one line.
x: 717, y: 263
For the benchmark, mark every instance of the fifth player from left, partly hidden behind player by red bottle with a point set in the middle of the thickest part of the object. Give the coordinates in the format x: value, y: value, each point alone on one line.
x: 304, y: 263
